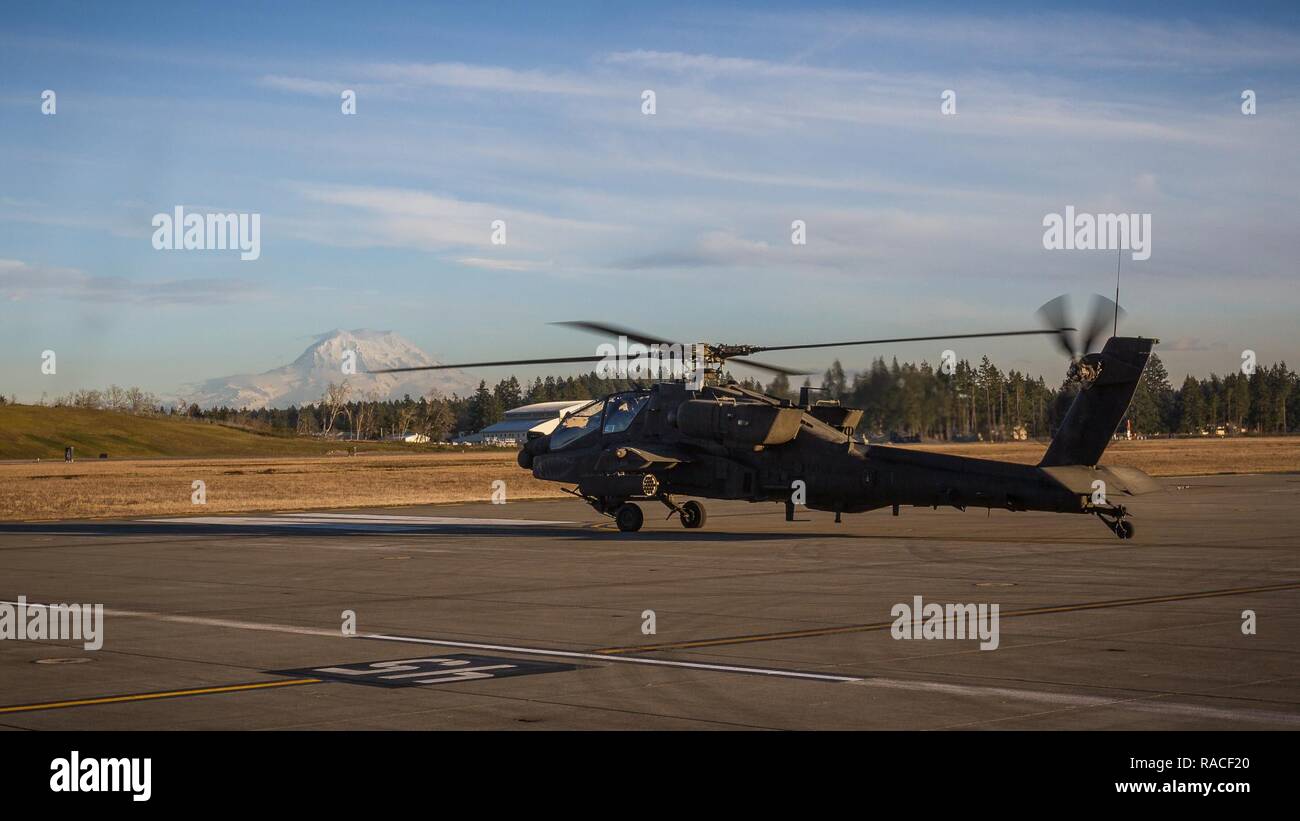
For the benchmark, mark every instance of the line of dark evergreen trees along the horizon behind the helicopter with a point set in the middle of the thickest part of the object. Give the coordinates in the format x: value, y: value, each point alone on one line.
x: 976, y: 402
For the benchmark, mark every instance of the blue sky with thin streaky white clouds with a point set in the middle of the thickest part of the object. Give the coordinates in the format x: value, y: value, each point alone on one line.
x: 679, y: 221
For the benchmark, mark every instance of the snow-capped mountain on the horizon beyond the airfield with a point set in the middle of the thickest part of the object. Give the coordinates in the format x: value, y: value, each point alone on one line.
x: 307, y: 377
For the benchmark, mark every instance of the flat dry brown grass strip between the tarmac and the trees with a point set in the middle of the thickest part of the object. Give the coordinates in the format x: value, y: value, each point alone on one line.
x: 162, y: 488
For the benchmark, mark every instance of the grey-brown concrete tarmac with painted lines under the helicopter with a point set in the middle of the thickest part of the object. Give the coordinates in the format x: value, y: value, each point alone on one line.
x: 539, y: 615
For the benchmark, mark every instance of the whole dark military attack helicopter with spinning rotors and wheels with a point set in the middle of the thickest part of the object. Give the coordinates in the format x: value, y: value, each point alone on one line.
x: 700, y: 436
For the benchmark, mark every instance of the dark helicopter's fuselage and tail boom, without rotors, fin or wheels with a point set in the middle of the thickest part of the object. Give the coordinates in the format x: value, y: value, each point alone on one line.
x: 727, y: 442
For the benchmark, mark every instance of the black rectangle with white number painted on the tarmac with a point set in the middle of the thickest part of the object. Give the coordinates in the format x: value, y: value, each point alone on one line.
x: 430, y: 671
